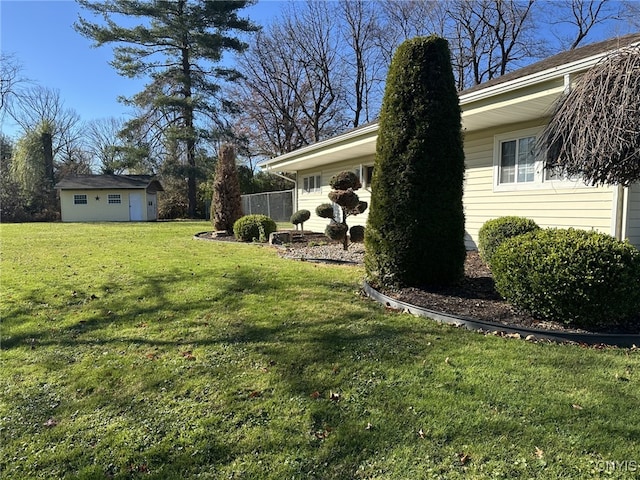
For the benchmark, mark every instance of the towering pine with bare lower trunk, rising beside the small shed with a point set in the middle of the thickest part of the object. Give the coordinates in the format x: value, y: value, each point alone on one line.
x: 177, y: 44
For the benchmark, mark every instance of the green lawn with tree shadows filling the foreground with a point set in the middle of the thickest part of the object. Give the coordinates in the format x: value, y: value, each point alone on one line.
x: 134, y: 351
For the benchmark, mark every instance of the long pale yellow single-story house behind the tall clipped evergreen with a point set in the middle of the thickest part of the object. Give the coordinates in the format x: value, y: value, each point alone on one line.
x: 501, y: 120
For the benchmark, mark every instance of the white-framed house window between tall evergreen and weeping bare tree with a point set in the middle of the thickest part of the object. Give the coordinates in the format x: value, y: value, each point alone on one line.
x: 517, y: 160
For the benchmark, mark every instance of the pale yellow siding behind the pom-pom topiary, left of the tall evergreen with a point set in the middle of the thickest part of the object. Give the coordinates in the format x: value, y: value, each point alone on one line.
x: 309, y: 201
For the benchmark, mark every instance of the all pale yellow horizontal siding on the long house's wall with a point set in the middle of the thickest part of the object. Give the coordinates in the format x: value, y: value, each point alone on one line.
x: 550, y: 205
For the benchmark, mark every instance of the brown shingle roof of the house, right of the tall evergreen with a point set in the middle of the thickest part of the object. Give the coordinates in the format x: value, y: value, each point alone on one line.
x: 560, y: 59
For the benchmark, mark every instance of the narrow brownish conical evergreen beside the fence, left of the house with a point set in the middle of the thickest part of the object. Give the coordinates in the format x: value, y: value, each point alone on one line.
x: 227, y: 203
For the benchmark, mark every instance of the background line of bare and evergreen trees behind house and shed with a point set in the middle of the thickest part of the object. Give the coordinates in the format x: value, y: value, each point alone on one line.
x: 314, y: 71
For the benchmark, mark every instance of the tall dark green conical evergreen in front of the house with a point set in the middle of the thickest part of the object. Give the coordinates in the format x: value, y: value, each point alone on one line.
x: 415, y: 229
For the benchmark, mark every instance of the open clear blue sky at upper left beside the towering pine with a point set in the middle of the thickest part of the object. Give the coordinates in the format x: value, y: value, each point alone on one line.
x: 41, y: 35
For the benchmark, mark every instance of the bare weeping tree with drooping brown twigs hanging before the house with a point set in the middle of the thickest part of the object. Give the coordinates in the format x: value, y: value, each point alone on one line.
x: 594, y: 131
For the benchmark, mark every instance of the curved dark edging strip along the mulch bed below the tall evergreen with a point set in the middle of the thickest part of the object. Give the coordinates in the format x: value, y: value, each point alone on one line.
x: 618, y: 340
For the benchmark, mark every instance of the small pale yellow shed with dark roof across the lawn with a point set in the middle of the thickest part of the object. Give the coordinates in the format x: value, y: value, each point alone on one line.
x: 109, y: 198
